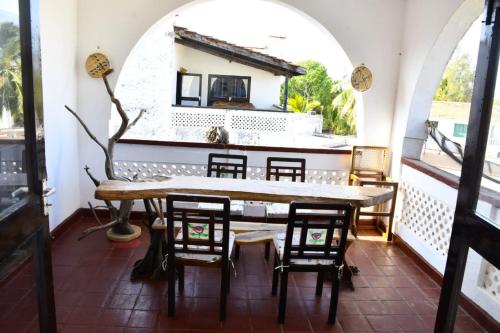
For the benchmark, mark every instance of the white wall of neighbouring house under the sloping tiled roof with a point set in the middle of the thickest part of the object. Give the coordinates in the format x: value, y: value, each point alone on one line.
x: 264, y: 86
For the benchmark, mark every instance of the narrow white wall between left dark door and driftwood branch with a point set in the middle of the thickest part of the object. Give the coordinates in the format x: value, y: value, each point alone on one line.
x: 58, y: 43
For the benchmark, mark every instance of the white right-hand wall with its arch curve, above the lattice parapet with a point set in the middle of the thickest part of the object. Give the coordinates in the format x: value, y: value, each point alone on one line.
x: 432, y: 30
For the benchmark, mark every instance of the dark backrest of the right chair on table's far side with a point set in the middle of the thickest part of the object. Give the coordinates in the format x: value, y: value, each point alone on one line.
x: 279, y: 167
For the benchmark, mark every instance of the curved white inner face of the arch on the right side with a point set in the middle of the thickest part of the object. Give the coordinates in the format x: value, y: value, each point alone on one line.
x: 431, y: 74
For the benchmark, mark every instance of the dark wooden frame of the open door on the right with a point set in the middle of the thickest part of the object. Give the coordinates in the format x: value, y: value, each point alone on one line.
x: 471, y: 230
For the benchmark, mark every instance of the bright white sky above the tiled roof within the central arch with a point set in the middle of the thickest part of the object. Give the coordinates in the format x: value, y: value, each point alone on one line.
x: 235, y: 21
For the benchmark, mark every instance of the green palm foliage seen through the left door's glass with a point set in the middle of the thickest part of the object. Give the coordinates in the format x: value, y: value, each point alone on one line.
x: 11, y: 94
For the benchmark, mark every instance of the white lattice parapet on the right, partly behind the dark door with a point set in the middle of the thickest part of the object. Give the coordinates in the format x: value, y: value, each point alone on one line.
x: 427, y: 205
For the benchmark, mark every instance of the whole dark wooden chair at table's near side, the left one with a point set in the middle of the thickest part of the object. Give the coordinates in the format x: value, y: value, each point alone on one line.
x: 204, y: 239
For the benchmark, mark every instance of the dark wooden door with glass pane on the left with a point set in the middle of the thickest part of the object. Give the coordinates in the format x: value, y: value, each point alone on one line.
x: 23, y: 219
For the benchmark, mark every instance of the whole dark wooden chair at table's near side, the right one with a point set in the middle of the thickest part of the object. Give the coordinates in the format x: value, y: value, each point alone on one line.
x: 315, y: 241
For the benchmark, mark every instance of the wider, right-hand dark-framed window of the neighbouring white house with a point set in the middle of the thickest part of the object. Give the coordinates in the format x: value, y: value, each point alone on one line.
x: 228, y: 88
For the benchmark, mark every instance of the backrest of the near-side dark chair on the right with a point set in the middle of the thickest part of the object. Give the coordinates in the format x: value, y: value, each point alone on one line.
x: 316, y: 225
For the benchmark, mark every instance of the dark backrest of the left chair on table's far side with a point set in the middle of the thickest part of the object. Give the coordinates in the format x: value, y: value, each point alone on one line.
x: 221, y: 164
